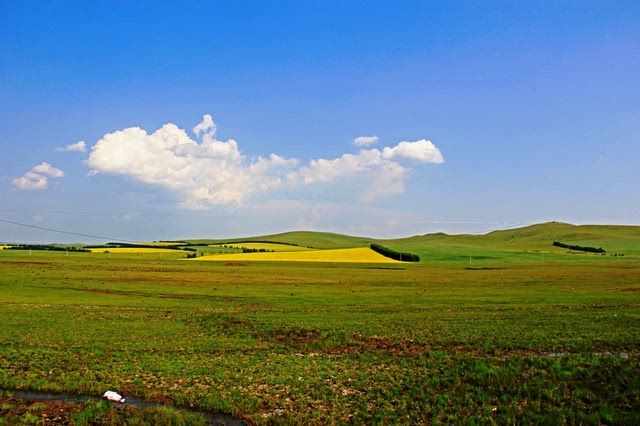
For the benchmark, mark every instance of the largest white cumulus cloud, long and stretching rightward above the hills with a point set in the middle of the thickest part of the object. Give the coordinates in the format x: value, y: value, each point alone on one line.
x: 209, y: 172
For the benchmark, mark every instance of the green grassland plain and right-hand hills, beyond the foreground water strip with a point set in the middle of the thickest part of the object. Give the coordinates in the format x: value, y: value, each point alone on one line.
x: 506, y: 339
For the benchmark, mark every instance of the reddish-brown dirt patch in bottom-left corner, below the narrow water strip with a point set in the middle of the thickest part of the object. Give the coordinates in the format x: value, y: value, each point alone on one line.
x: 49, y: 412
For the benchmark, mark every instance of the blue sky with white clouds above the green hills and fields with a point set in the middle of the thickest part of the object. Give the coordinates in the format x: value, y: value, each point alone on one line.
x: 486, y: 115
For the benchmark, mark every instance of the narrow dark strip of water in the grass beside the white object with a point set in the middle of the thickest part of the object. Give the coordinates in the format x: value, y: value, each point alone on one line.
x: 217, y: 419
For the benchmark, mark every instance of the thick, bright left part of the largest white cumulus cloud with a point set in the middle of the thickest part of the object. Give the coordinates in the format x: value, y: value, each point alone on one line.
x: 211, y: 172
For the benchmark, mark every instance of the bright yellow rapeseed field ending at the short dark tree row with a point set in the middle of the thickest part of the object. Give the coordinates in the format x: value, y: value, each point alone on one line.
x: 351, y: 255
